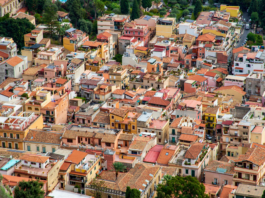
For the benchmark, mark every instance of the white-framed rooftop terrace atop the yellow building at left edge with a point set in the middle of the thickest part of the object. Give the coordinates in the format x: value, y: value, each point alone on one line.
x: 18, y: 121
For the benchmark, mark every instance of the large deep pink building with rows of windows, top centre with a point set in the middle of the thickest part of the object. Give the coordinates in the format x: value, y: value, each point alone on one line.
x: 139, y: 32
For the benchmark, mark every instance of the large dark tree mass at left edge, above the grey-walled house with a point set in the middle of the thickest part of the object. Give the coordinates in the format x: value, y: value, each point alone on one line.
x: 16, y: 29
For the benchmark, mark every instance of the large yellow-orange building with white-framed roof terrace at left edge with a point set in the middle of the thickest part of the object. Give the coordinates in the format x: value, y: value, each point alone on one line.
x: 16, y: 127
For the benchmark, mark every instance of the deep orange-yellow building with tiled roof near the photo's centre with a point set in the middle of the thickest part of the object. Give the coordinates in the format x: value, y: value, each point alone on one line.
x: 123, y: 119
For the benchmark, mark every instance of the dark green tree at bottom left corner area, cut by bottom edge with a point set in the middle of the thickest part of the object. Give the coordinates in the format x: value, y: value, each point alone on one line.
x: 30, y: 189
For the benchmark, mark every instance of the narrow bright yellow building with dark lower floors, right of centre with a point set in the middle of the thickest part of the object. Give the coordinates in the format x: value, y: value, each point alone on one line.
x: 210, y: 117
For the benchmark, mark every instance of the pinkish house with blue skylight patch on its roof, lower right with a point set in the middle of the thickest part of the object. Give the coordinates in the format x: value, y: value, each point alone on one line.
x: 219, y: 173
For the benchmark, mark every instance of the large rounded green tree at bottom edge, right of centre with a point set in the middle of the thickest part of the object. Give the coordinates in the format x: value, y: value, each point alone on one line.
x: 181, y: 187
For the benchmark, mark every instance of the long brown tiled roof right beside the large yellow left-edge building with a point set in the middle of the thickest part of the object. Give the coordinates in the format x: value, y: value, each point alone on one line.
x: 43, y: 137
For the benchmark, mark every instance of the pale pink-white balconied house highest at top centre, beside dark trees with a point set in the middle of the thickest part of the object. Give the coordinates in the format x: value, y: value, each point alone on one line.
x: 112, y: 22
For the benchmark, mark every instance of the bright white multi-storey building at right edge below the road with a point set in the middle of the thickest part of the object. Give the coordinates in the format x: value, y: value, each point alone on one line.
x: 247, y: 63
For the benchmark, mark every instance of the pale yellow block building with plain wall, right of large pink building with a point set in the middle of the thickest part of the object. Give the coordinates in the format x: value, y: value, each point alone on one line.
x: 165, y: 27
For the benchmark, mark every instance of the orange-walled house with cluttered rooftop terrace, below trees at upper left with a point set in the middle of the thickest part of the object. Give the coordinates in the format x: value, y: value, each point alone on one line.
x: 73, y: 39
